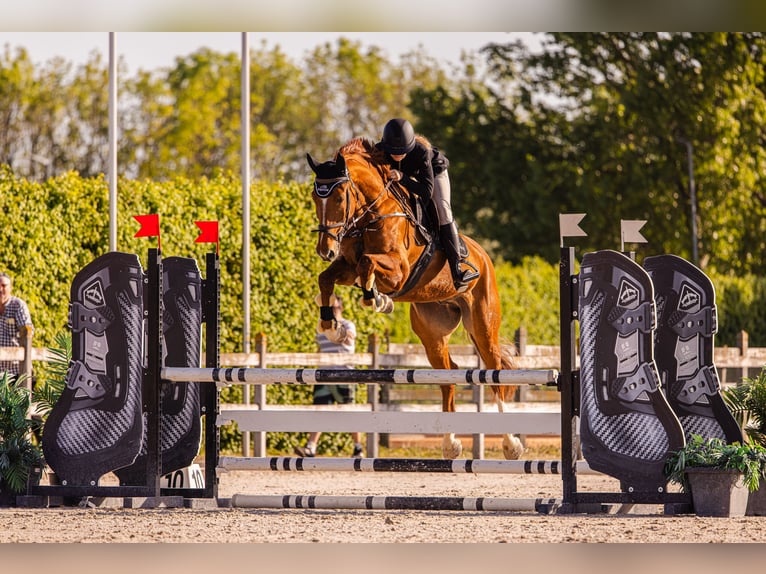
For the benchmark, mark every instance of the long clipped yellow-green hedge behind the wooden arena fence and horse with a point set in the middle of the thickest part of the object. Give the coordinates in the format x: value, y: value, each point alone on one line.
x: 52, y: 229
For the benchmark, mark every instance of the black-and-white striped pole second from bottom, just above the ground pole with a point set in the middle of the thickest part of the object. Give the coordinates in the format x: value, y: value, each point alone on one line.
x: 298, y: 464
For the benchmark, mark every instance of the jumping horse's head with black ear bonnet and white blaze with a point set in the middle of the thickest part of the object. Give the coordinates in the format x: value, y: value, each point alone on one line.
x: 331, y: 200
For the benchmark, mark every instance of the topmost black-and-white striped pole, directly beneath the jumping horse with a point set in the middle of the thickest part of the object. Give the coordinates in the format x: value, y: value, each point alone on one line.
x: 255, y: 376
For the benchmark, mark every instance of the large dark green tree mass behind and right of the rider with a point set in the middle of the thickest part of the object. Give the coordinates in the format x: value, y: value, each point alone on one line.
x: 597, y: 123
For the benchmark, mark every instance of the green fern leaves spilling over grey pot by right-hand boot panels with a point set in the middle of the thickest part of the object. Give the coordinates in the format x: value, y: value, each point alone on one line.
x: 749, y: 459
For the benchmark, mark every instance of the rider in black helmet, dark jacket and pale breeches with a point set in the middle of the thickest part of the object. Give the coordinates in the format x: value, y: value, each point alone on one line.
x: 422, y: 170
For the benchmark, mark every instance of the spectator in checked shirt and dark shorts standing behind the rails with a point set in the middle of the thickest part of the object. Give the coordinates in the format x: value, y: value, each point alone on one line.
x: 334, y: 394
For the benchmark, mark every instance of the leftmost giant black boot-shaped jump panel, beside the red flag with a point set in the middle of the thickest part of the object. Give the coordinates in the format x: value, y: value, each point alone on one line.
x: 97, y: 424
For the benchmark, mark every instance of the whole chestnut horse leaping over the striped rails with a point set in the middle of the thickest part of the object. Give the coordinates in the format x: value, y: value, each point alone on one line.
x: 368, y: 234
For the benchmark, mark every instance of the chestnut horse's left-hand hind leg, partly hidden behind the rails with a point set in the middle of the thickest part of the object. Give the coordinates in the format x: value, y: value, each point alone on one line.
x: 433, y: 323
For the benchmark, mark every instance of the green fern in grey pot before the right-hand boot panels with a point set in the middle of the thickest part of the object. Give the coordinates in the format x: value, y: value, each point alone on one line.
x: 719, y: 475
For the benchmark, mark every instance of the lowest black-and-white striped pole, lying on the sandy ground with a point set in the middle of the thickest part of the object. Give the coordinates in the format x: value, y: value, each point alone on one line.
x: 546, y: 505
